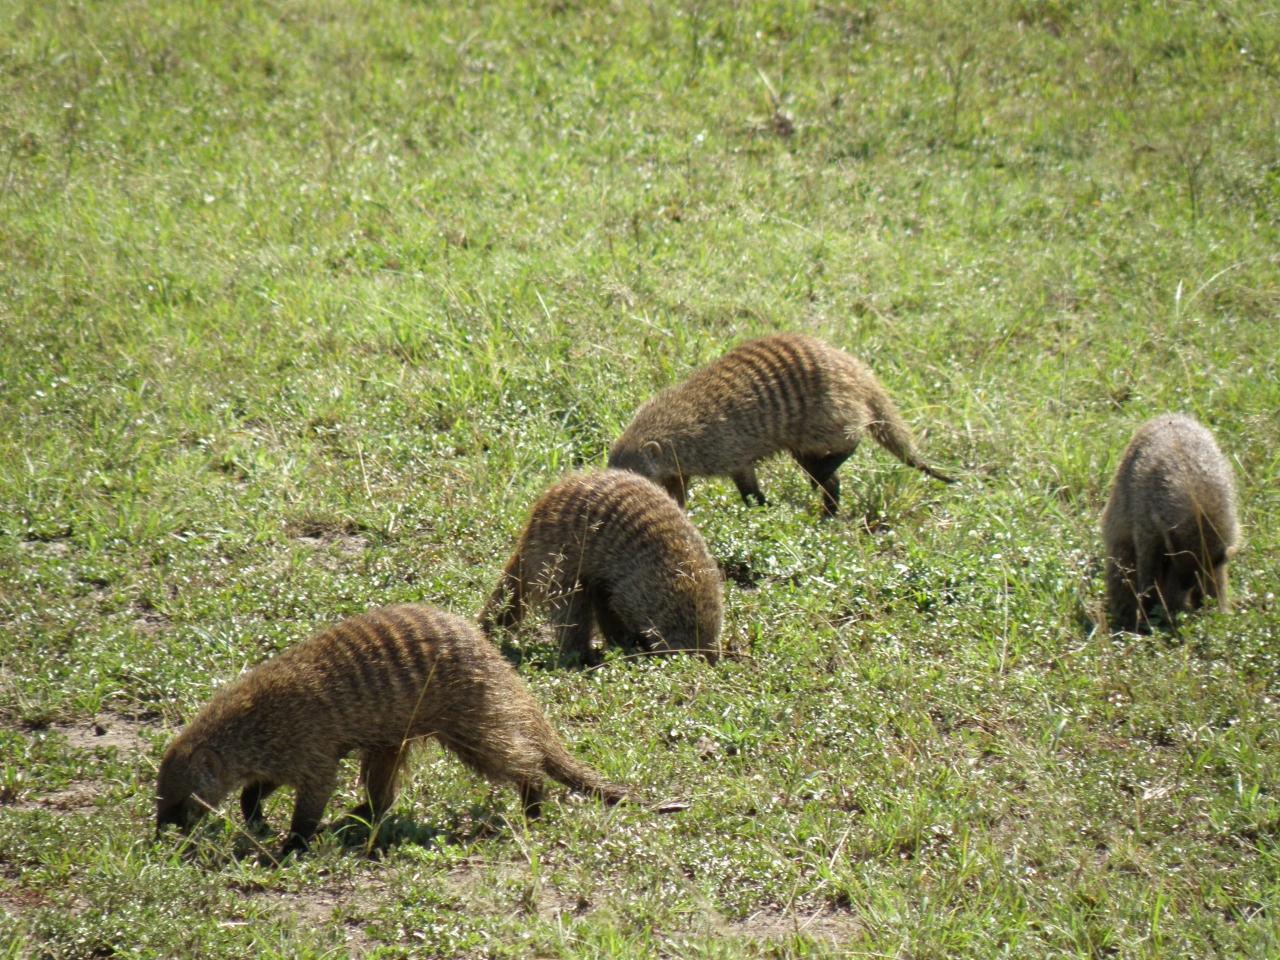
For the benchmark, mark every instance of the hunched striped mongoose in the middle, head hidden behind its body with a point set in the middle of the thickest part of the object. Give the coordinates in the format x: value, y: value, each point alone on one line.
x: 611, y: 547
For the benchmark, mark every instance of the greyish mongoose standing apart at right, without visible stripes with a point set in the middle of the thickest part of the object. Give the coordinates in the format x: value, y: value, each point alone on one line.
x: 1169, y: 527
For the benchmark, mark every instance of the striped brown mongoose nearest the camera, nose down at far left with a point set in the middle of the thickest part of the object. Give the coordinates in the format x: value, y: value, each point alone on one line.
x: 376, y: 684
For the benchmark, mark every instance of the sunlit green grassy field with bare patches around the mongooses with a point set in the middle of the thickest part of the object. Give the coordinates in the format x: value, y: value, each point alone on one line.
x: 303, y: 305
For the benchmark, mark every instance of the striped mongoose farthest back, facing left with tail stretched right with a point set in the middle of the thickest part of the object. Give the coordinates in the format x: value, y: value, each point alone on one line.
x: 778, y: 394
